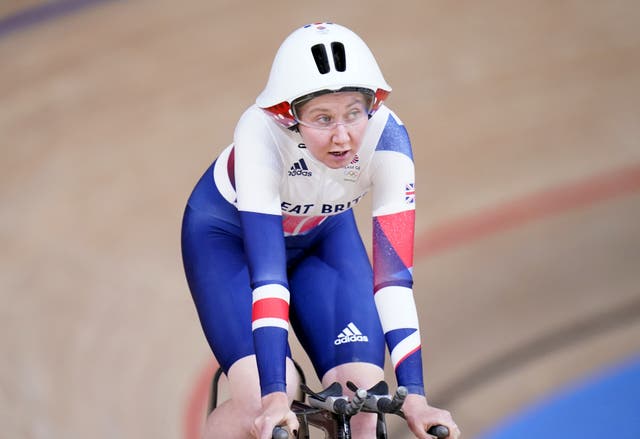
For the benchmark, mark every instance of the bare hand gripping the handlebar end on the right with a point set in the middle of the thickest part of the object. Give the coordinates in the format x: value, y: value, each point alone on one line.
x: 420, y: 417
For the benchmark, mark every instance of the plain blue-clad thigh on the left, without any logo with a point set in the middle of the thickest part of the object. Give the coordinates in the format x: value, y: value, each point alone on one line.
x: 218, y: 277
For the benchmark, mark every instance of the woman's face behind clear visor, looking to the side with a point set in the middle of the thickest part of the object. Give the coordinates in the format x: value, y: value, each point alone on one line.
x: 333, y: 144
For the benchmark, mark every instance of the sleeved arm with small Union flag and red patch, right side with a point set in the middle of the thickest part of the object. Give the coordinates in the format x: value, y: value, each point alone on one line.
x: 393, y: 240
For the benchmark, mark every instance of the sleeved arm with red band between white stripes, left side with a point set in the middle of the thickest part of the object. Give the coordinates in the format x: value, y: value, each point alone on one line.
x: 258, y: 171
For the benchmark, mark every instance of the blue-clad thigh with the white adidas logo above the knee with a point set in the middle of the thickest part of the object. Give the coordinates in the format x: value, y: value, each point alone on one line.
x: 333, y: 310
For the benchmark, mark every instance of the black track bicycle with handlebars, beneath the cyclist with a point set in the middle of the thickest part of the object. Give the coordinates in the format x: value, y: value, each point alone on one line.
x: 330, y: 411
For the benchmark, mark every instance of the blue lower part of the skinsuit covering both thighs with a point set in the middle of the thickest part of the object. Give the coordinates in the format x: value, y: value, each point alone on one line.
x: 332, y: 308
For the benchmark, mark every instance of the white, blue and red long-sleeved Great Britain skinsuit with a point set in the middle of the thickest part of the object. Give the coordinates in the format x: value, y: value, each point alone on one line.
x: 269, y: 239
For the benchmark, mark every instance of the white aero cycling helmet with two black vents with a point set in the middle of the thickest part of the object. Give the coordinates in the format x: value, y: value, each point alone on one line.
x: 320, y: 58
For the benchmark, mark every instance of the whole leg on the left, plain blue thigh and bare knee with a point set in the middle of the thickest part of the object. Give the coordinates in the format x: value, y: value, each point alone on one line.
x: 218, y: 278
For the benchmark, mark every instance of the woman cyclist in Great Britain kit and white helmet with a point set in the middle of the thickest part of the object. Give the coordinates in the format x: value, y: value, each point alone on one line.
x: 269, y: 239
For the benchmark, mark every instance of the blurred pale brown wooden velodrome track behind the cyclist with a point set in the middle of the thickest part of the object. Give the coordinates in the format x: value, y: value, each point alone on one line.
x: 524, y: 119
